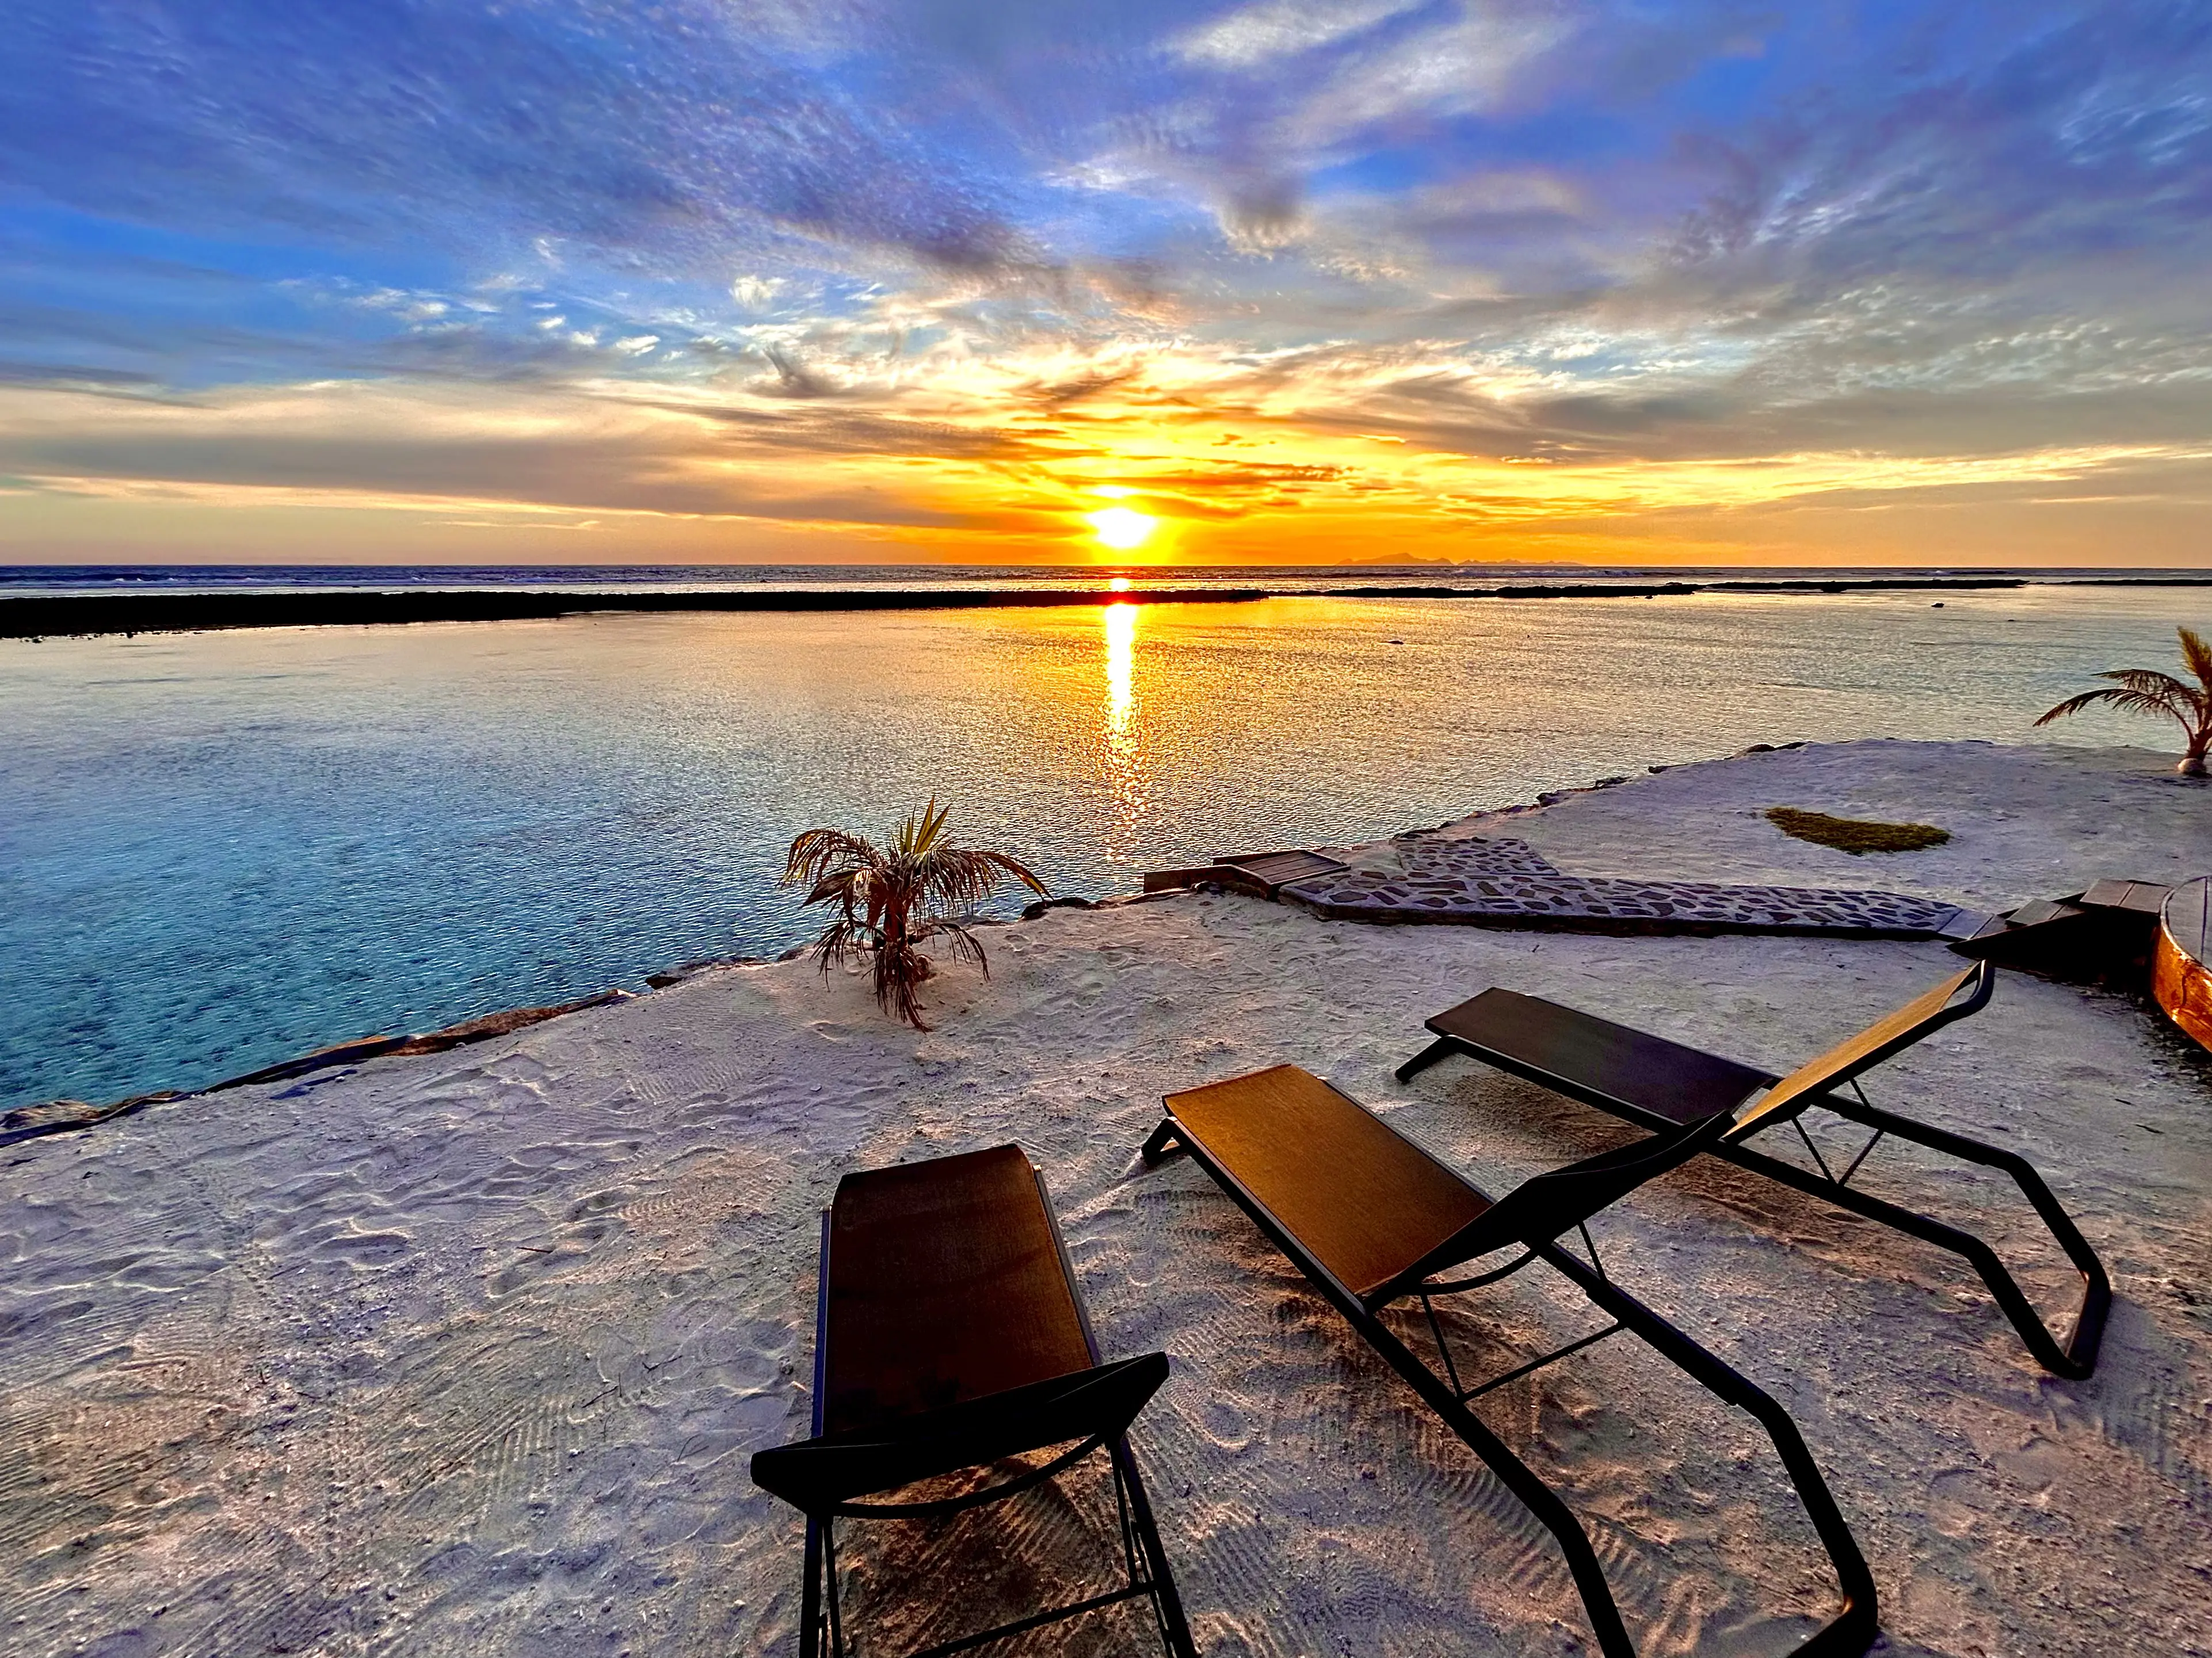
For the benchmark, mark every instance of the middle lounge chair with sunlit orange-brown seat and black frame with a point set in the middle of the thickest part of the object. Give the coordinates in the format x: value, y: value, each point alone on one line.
x: 1373, y: 1221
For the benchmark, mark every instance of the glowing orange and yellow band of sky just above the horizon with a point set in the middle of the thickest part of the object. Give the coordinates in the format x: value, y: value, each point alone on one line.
x: 1008, y: 465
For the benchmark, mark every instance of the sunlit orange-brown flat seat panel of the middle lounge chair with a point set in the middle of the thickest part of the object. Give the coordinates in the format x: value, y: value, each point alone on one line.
x: 1359, y: 1197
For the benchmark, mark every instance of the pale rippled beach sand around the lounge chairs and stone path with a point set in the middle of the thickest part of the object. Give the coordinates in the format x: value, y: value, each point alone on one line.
x: 466, y: 1354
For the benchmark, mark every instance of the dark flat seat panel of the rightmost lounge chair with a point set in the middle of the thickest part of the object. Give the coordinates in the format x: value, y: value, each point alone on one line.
x: 1592, y: 1058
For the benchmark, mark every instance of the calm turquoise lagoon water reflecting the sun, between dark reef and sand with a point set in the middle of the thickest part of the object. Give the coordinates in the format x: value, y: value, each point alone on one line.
x: 222, y: 850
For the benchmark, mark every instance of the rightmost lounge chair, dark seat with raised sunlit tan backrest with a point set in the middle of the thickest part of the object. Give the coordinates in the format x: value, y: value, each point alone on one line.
x: 1662, y: 1084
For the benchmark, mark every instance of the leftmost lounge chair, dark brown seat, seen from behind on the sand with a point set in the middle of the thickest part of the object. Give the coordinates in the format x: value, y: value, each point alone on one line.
x: 950, y: 1336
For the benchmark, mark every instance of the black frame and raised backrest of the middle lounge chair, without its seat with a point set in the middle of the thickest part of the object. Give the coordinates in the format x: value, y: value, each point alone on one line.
x: 1534, y: 1217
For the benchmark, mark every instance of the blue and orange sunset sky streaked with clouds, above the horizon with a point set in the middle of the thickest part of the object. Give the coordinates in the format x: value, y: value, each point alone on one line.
x: 1291, y: 282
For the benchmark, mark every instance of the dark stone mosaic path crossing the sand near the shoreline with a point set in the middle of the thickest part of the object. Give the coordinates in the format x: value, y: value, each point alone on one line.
x: 1507, y: 883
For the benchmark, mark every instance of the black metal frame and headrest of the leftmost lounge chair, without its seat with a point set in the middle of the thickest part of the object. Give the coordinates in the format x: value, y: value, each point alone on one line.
x: 1094, y: 1409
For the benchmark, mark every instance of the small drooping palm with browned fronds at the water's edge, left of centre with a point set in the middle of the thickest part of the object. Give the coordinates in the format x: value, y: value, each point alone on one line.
x: 893, y: 901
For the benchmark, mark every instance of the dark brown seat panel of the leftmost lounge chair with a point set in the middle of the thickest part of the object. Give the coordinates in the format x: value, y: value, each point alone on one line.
x: 943, y: 1283
